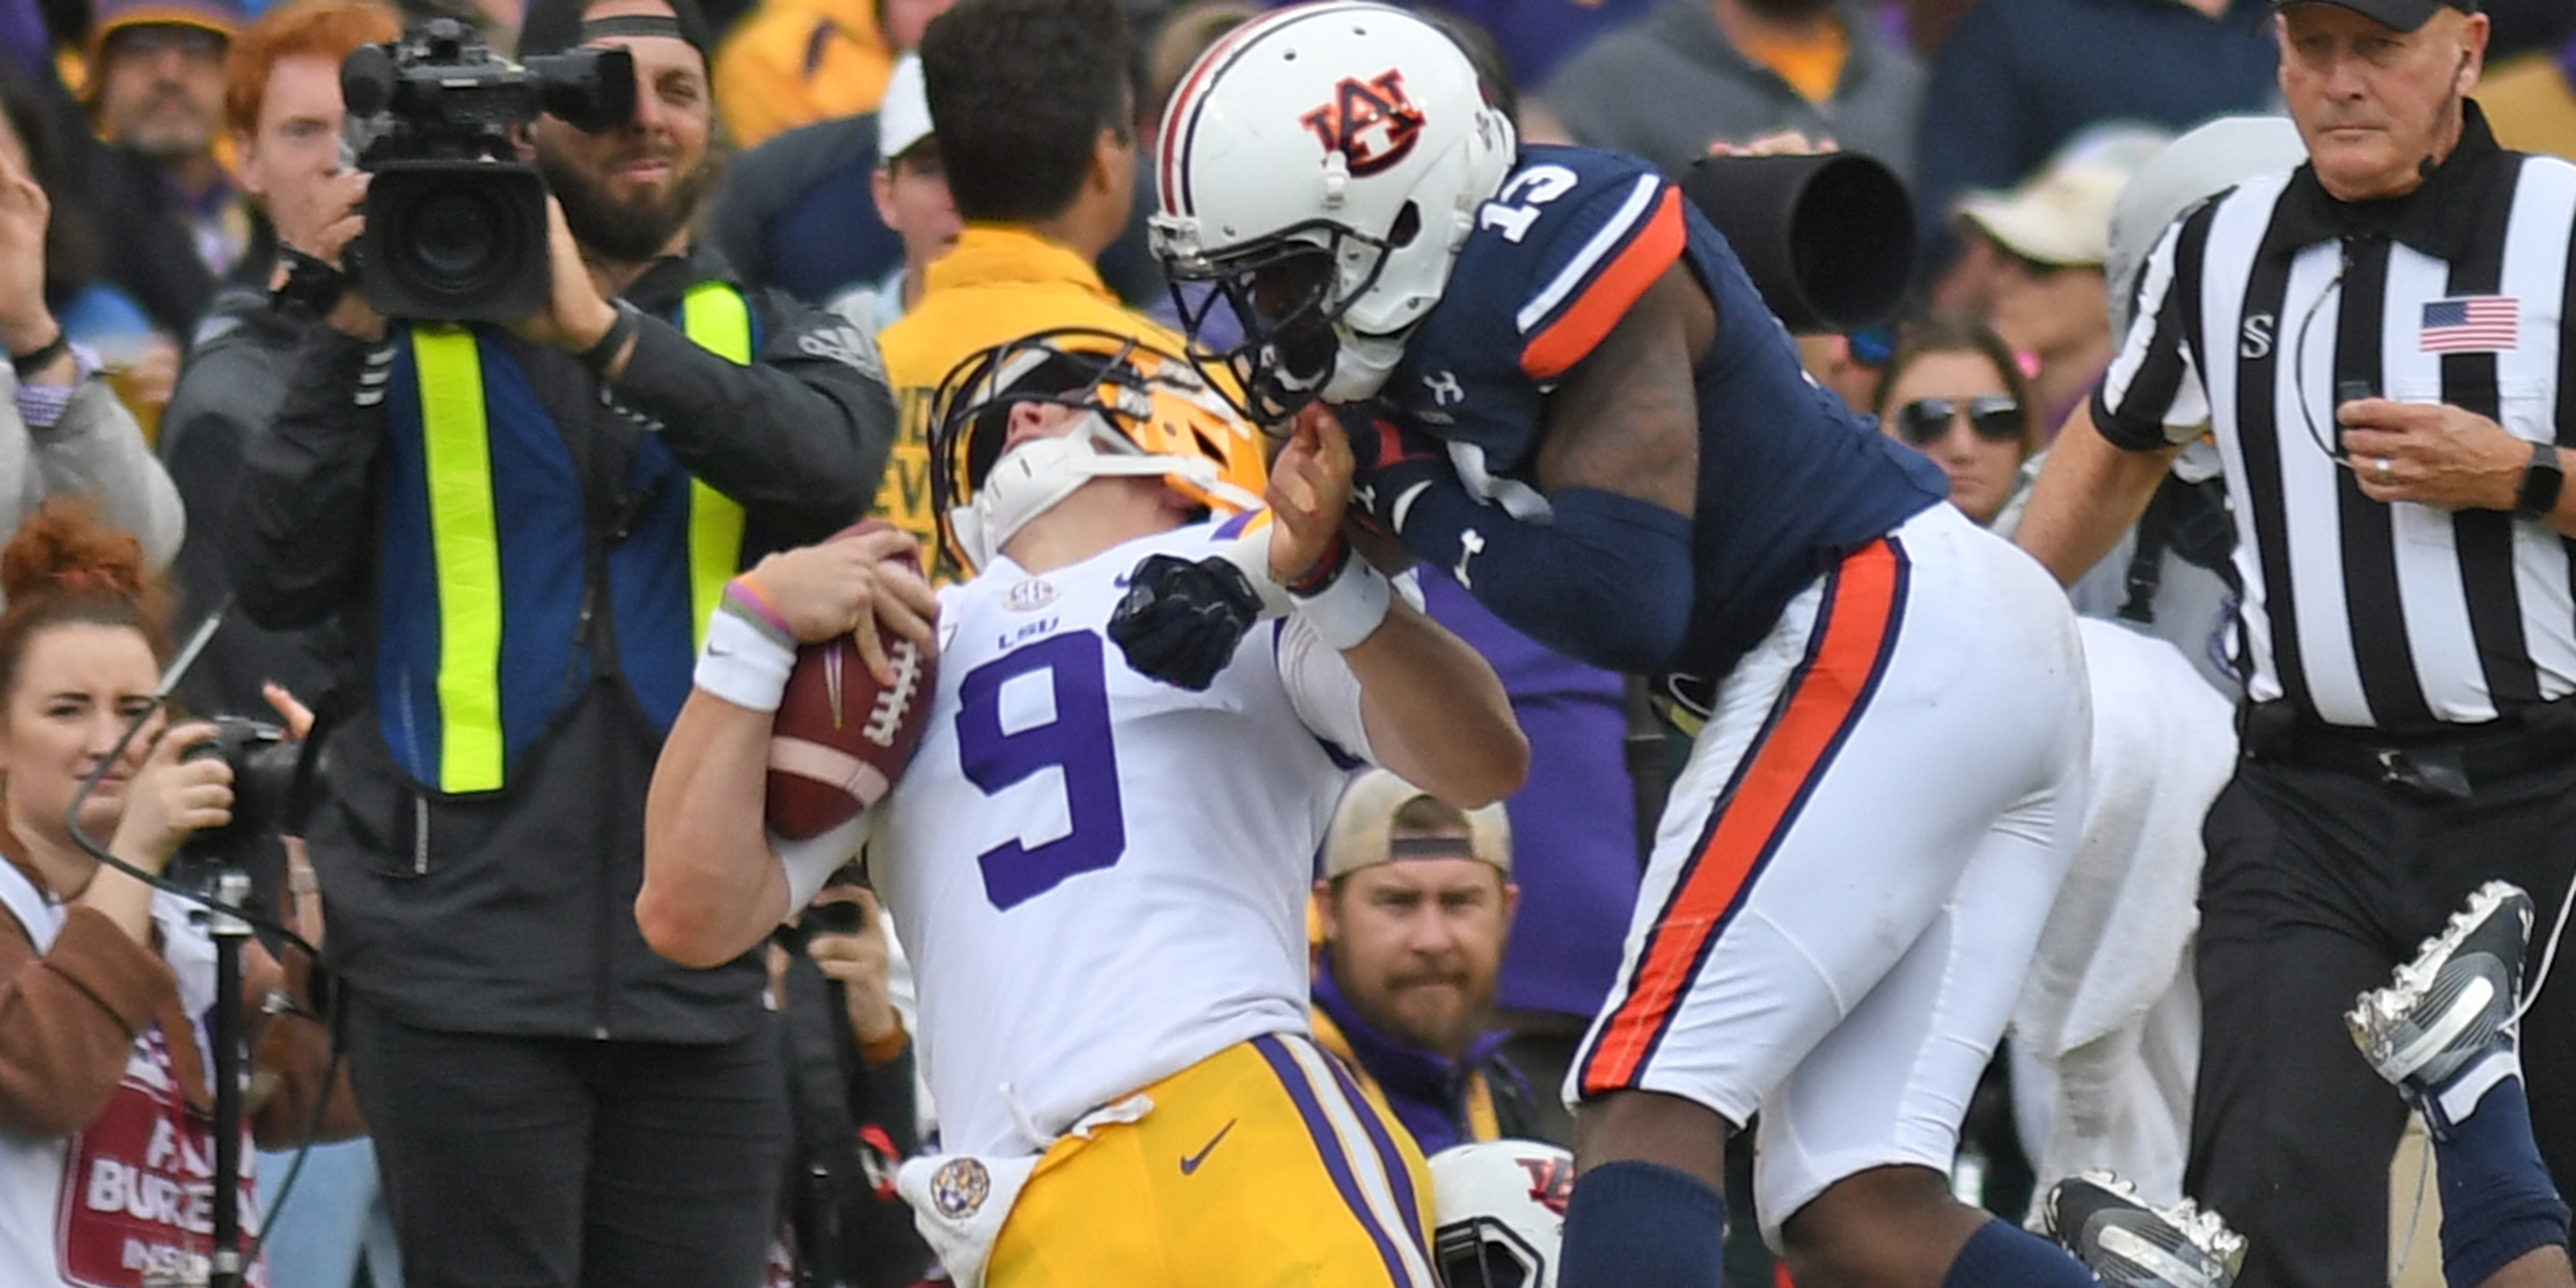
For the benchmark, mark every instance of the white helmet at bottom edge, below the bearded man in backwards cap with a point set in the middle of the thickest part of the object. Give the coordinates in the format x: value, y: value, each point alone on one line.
x: 1501, y: 1212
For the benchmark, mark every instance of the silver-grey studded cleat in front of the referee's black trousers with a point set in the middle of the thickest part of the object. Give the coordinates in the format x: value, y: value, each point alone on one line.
x: 2454, y: 1006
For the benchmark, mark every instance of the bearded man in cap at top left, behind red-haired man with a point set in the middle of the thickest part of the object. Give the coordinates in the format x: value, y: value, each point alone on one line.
x: 158, y: 99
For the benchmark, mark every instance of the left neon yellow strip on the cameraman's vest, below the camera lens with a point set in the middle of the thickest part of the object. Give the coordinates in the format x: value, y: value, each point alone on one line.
x: 465, y: 542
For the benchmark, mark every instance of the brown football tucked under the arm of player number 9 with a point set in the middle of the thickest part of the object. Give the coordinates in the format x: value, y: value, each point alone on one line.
x: 841, y: 738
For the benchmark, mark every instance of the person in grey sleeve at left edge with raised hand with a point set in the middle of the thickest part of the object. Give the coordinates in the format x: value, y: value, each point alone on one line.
x: 63, y: 431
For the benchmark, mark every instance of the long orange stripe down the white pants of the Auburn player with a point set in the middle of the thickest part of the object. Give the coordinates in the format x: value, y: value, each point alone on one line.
x: 1823, y: 705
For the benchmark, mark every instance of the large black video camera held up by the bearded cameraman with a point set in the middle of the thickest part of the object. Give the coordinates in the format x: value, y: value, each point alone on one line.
x: 455, y: 220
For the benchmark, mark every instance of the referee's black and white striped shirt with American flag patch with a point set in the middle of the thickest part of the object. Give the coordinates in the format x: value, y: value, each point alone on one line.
x: 2273, y: 298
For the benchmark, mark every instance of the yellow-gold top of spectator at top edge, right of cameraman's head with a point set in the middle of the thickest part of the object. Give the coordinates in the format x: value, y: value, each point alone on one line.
x: 795, y: 63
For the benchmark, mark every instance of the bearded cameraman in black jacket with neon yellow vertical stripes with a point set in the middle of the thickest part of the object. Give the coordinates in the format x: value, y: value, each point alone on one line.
x: 527, y: 568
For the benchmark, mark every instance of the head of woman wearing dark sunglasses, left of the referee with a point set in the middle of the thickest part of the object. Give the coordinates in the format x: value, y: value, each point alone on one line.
x: 1956, y: 395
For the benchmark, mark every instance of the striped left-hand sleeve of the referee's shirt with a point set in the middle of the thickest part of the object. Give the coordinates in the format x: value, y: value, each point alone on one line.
x: 2155, y: 398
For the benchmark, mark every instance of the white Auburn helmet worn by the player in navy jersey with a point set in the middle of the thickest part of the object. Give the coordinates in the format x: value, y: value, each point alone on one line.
x: 1320, y: 169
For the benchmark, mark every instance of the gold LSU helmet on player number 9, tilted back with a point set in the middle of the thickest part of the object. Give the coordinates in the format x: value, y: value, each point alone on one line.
x: 1148, y: 413
